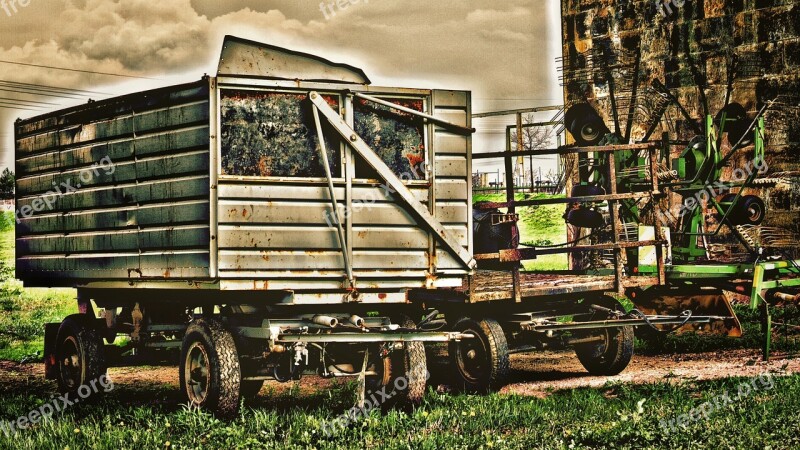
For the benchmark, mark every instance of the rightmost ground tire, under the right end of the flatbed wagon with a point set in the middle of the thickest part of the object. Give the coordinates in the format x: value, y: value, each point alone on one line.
x: 612, y: 355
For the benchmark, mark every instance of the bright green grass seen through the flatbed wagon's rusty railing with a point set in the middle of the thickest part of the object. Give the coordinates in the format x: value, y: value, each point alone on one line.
x: 538, y: 226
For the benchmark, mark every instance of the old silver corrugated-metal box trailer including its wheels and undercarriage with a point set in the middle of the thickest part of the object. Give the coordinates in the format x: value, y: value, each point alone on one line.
x: 269, y: 222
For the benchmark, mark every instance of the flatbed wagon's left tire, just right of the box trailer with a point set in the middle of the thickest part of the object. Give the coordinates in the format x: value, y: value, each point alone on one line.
x: 481, y: 364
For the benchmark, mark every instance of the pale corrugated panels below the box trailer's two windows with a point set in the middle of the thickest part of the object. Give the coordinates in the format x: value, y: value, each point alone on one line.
x: 277, y: 231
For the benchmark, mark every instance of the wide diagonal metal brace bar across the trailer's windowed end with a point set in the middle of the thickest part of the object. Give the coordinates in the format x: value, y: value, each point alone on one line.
x: 392, y: 181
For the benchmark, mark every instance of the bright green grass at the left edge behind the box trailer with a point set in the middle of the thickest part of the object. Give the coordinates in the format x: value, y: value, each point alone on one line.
x: 23, y: 311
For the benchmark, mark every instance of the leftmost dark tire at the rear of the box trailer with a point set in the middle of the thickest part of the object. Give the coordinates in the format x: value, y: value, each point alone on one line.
x: 80, y: 356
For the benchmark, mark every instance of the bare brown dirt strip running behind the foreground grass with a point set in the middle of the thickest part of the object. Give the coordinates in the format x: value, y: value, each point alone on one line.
x: 532, y: 374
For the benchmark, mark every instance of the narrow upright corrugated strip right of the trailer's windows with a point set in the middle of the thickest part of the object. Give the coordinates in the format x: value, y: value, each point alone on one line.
x: 453, y: 167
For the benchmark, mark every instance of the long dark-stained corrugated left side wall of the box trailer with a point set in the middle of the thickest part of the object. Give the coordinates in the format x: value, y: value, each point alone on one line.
x: 116, y: 189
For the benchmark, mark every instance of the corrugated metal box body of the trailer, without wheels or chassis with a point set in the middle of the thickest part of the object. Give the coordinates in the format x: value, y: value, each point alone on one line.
x: 162, y: 194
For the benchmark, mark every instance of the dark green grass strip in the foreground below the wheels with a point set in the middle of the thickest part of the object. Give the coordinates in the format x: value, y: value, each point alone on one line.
x: 615, y: 416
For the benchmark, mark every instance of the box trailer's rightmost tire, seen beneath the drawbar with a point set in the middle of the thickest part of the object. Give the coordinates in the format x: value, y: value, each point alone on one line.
x: 409, y: 364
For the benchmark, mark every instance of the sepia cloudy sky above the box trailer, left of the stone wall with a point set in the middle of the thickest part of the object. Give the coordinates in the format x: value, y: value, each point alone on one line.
x: 503, y: 51
